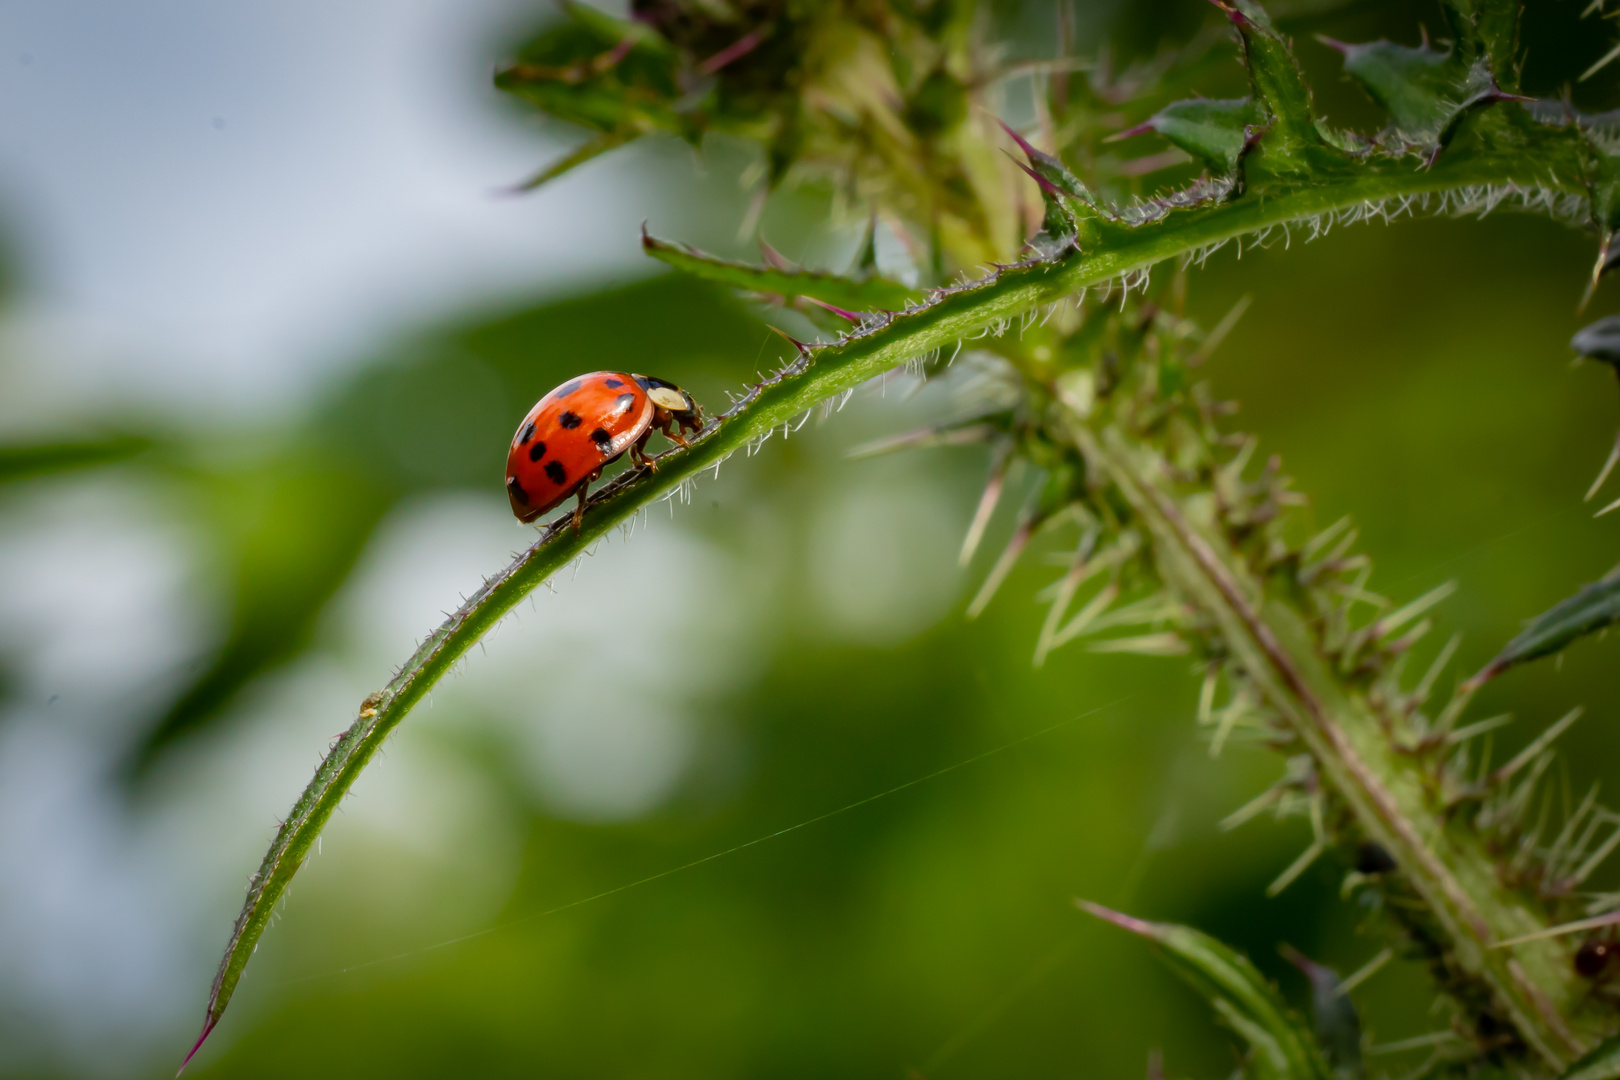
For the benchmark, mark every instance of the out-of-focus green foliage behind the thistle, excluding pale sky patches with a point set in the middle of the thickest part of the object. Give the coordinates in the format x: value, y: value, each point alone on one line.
x: 1412, y: 376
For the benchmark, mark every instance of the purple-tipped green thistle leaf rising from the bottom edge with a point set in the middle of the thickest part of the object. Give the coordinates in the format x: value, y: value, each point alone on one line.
x: 1282, y: 1047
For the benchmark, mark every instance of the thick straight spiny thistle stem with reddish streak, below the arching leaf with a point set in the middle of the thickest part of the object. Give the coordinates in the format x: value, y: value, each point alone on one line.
x: 1457, y: 880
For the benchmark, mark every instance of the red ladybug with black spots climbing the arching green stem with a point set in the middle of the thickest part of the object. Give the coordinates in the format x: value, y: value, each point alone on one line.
x: 578, y: 430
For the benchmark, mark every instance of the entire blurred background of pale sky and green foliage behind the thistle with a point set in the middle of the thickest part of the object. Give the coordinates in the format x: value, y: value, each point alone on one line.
x: 270, y: 320
